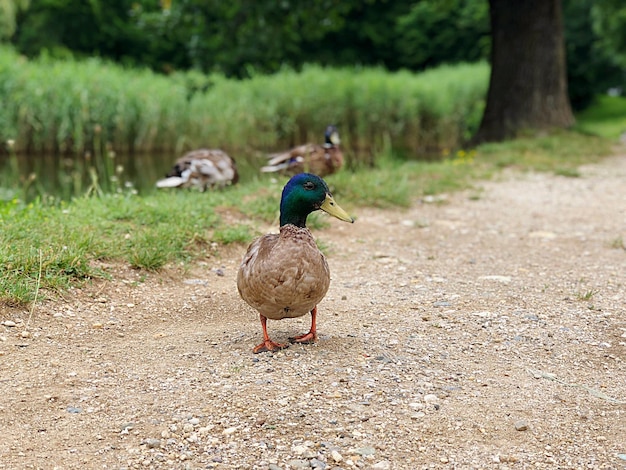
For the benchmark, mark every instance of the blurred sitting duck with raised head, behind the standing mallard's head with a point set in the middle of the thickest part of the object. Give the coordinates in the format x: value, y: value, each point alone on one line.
x: 322, y: 160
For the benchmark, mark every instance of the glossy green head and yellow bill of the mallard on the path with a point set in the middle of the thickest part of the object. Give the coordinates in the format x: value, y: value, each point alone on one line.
x: 305, y: 193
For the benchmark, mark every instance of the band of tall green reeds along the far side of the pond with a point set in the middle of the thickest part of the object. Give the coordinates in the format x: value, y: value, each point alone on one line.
x: 85, y: 107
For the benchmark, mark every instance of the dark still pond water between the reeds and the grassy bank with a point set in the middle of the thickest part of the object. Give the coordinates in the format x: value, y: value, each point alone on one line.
x: 30, y: 176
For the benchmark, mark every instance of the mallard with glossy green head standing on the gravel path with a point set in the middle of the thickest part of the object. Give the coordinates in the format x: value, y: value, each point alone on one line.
x: 285, y: 275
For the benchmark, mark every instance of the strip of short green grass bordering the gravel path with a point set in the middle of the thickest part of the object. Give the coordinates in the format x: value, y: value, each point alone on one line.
x: 64, y: 241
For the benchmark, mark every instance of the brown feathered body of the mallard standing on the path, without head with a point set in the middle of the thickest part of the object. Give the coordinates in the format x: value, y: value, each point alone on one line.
x: 284, y: 275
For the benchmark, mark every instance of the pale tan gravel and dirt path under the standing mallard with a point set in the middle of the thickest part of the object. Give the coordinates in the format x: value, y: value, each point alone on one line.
x: 477, y: 332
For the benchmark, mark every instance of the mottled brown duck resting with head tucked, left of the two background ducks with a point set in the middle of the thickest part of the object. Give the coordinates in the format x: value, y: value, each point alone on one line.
x: 203, y: 168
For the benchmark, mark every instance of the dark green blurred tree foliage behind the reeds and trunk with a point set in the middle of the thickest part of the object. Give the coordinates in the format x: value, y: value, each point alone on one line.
x: 241, y: 38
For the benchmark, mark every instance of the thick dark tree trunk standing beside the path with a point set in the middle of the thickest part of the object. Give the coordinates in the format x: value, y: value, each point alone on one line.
x: 528, y: 86
